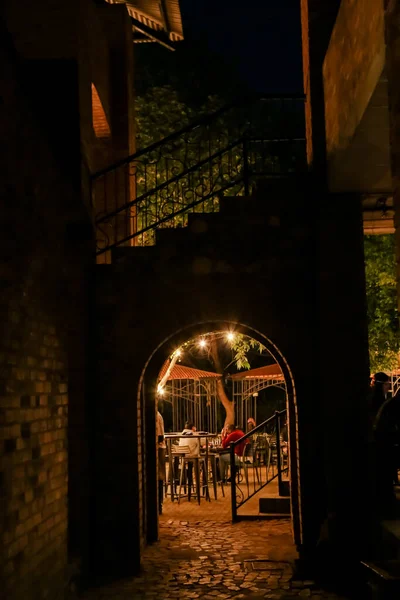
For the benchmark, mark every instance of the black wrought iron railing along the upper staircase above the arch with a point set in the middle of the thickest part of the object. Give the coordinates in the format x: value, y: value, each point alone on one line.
x: 189, y: 170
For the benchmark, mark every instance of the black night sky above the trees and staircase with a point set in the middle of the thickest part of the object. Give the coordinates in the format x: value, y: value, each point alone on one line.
x: 261, y: 38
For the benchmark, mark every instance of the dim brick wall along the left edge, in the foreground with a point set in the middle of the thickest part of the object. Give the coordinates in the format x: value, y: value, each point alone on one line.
x: 42, y: 260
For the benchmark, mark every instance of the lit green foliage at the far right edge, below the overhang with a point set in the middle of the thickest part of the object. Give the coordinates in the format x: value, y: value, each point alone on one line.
x: 383, y: 324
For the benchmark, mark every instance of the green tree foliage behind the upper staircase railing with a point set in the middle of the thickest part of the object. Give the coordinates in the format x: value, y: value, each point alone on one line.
x: 190, y: 172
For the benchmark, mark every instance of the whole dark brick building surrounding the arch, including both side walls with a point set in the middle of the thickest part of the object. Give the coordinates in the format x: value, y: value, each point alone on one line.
x: 82, y: 344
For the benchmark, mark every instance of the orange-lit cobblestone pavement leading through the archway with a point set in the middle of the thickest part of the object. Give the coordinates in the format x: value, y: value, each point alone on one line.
x: 213, y: 560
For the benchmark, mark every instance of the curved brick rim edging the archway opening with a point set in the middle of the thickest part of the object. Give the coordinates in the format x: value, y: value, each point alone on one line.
x: 147, y: 401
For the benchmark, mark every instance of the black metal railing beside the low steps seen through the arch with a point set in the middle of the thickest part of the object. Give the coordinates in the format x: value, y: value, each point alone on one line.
x: 265, y: 458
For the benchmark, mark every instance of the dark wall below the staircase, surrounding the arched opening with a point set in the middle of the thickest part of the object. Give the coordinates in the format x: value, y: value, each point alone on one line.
x: 140, y: 305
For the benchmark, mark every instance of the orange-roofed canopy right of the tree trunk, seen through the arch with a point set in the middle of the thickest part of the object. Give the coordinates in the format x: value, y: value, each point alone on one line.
x: 246, y: 386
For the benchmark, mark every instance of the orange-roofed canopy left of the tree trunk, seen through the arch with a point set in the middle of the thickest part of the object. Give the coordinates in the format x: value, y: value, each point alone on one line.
x: 192, y: 393
